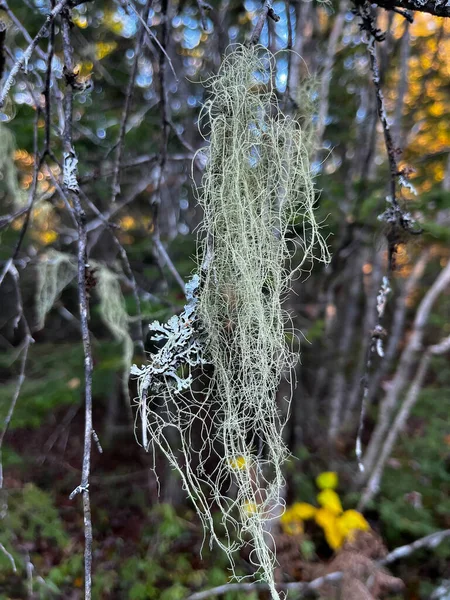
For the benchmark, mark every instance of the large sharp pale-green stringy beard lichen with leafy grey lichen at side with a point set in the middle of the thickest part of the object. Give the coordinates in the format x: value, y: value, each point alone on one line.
x: 256, y: 189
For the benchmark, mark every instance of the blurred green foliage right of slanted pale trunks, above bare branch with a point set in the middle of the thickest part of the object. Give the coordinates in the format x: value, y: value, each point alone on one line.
x: 423, y: 453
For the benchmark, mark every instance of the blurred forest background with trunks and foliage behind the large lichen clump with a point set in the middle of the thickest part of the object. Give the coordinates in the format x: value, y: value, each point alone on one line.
x: 375, y: 330
